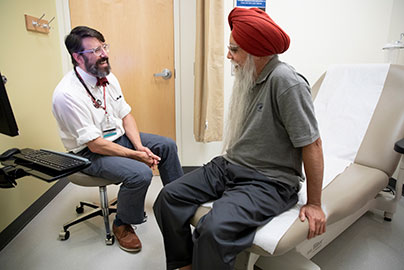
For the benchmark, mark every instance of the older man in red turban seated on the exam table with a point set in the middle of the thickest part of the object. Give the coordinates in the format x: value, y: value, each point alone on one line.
x: 271, y: 131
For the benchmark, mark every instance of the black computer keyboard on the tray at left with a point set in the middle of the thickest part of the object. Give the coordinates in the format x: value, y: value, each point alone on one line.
x: 52, y: 160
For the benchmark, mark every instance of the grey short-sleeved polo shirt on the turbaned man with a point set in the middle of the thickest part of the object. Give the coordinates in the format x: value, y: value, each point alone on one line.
x: 279, y: 123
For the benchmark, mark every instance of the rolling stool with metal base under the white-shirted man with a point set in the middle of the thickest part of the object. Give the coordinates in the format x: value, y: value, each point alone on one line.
x: 104, y: 209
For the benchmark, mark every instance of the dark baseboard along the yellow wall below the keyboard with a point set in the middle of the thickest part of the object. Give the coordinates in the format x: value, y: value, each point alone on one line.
x: 22, y: 220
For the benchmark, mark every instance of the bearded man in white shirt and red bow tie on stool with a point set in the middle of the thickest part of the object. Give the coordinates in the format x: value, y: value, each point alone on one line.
x: 95, y: 122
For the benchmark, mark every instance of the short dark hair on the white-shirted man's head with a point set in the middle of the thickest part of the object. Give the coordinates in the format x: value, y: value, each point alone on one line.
x: 73, y: 41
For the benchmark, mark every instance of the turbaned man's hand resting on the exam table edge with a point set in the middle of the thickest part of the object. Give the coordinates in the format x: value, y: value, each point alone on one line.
x: 316, y: 218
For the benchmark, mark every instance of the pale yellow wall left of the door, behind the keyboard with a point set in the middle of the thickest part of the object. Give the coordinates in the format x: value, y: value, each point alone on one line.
x: 32, y: 64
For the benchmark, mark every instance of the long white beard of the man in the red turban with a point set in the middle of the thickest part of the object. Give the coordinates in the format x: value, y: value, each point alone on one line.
x: 239, y: 101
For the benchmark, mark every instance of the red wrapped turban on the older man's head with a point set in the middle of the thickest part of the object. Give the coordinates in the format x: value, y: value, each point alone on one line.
x: 256, y: 33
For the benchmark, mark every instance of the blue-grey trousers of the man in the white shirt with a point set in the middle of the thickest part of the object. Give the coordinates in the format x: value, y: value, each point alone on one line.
x: 134, y: 175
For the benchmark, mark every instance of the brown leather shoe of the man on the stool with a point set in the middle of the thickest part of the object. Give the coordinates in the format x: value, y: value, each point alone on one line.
x: 127, y: 238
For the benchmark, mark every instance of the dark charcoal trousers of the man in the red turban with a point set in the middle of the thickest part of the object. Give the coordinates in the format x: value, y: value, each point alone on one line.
x: 244, y: 200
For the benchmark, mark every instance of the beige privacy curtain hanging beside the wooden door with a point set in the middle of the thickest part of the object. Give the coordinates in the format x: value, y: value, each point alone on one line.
x: 209, y: 59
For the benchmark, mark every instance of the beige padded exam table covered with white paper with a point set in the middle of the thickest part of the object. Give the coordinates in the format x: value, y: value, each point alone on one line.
x: 355, y: 177
